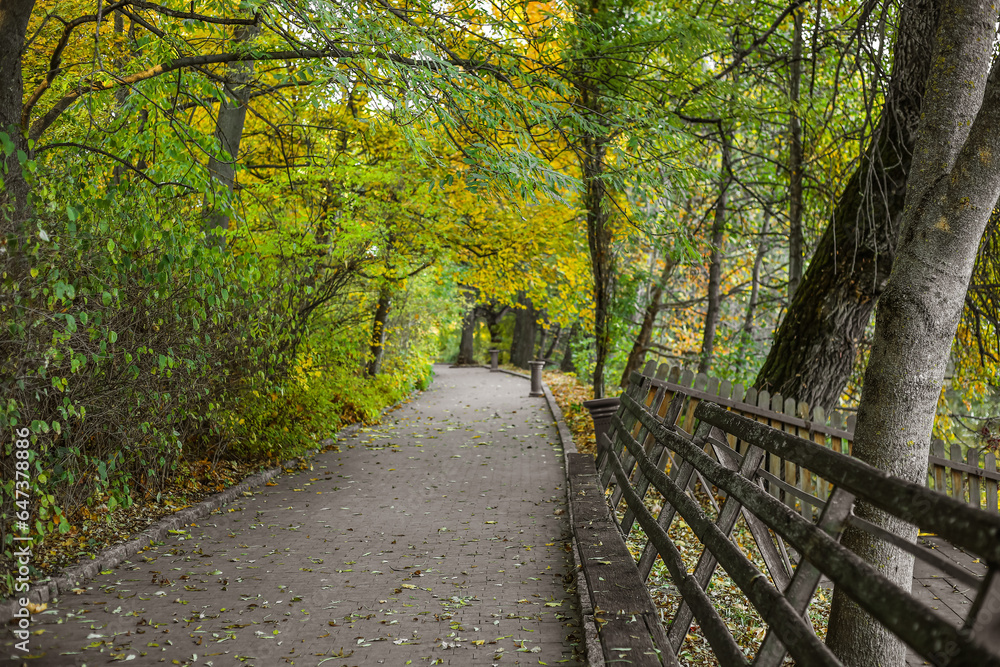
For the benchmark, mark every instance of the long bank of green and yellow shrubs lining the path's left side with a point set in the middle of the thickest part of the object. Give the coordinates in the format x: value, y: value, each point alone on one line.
x: 131, y: 342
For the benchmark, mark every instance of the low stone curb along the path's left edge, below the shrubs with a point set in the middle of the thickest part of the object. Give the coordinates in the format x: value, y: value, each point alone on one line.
x: 72, y: 577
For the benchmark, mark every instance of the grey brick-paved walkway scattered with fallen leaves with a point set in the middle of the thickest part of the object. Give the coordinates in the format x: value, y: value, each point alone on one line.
x: 439, y: 538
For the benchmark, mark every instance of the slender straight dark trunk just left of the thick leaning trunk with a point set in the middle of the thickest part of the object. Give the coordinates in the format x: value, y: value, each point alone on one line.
x: 795, y: 162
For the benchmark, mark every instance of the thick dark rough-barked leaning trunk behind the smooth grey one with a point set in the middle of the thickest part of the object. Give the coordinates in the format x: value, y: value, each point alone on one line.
x: 815, y: 347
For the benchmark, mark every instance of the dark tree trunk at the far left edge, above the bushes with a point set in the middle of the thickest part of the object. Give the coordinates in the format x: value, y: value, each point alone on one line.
x: 14, y: 16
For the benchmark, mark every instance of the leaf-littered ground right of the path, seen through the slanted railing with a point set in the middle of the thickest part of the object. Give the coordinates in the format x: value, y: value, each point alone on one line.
x: 739, y: 615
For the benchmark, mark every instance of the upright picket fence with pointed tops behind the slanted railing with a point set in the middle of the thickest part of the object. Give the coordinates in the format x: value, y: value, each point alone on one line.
x: 972, y: 478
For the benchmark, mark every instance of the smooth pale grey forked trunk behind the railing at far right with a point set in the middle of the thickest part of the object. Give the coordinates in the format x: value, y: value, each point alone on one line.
x: 954, y: 185
